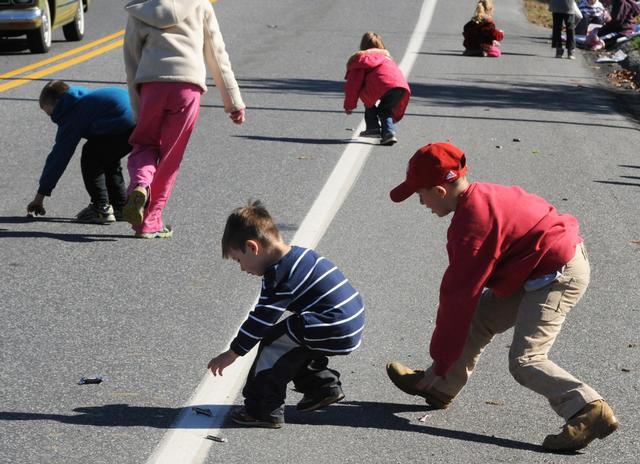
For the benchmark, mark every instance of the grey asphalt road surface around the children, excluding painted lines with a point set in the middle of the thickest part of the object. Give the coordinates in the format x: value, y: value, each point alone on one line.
x: 79, y: 300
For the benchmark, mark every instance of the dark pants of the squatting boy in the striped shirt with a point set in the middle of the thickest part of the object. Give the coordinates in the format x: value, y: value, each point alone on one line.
x: 279, y: 361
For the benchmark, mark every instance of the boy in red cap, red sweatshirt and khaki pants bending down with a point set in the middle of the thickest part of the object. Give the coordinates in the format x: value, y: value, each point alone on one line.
x: 514, y: 261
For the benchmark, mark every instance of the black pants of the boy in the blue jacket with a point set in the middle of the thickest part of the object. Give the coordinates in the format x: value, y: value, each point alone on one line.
x: 101, y: 170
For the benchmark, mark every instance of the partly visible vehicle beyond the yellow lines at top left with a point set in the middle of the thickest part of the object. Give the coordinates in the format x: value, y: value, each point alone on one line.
x: 38, y: 18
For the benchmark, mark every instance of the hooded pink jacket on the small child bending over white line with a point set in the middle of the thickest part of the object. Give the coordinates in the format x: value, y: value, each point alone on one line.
x: 370, y: 74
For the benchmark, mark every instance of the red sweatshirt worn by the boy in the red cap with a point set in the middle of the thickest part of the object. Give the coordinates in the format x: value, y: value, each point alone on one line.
x: 499, y: 237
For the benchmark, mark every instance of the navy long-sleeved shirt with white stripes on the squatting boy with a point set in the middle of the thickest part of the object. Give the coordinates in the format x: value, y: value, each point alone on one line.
x: 328, y: 313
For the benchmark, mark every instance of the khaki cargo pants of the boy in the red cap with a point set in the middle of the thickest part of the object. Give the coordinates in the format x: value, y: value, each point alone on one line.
x: 537, y: 318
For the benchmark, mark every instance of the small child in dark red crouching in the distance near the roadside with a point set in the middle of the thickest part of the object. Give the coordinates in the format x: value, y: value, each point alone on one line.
x: 481, y: 37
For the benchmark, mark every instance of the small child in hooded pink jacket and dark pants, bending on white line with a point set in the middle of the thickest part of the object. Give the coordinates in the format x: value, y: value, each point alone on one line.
x: 374, y: 77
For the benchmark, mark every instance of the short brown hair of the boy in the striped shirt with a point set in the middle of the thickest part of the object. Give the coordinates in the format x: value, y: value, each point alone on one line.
x: 251, y: 222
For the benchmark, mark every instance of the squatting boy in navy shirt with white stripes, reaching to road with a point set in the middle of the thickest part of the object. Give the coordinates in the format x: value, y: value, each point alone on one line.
x: 327, y: 319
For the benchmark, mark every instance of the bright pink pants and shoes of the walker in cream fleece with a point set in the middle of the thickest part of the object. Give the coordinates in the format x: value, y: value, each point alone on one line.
x: 181, y: 113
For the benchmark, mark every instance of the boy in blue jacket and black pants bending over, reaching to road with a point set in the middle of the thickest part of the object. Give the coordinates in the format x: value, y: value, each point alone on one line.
x: 104, y: 118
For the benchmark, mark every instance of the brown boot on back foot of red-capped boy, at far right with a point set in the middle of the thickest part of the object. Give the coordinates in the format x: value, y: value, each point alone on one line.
x: 595, y: 420
